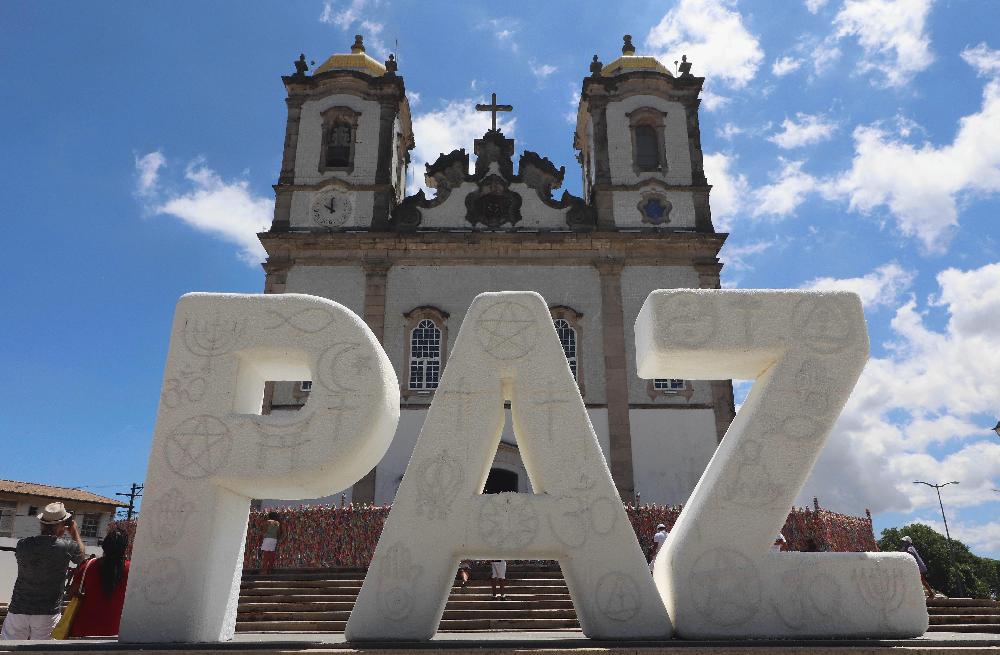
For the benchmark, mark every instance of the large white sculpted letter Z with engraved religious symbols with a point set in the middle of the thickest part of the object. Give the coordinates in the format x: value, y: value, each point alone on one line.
x: 805, y: 351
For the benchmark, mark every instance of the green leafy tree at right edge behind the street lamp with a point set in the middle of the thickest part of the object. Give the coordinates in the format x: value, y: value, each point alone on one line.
x: 980, y: 575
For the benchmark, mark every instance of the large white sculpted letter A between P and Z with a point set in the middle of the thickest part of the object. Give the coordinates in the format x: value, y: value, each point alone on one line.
x: 507, y: 349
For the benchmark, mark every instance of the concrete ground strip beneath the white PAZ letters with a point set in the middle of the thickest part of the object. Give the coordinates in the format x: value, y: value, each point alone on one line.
x: 524, y: 643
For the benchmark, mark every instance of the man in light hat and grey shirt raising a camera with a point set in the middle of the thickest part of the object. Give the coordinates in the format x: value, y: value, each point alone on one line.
x: 42, y: 561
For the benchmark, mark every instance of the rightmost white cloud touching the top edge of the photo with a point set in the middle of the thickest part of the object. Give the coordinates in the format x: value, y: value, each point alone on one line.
x: 891, y: 34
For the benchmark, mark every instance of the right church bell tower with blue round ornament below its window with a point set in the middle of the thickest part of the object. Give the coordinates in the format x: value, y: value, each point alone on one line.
x: 639, y: 145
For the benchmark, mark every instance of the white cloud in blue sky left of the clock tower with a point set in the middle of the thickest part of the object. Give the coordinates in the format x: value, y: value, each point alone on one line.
x: 229, y: 210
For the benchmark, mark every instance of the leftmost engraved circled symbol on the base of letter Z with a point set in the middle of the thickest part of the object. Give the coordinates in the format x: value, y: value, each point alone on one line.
x: 725, y: 587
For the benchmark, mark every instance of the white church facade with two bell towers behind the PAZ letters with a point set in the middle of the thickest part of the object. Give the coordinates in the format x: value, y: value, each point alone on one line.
x: 344, y: 229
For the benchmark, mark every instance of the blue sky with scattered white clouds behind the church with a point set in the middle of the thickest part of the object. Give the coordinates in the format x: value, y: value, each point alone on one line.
x: 853, y: 144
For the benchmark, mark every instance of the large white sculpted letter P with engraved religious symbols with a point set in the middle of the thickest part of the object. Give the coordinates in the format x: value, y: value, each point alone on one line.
x: 213, y: 451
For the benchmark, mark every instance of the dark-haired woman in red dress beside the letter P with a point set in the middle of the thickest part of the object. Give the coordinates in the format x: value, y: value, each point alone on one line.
x: 103, y: 594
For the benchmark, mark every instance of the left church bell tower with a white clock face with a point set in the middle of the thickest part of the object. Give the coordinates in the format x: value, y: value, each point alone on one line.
x: 347, y: 145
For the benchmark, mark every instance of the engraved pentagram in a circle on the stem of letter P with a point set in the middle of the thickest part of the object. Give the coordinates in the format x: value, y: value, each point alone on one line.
x: 198, y: 447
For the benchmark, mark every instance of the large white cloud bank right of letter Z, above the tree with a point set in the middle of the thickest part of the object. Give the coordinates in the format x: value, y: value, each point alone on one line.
x: 932, y: 387
